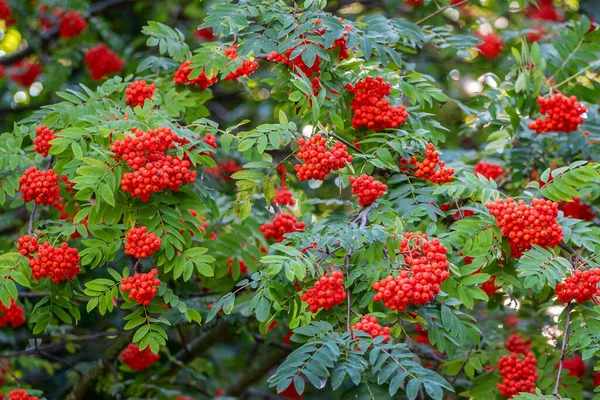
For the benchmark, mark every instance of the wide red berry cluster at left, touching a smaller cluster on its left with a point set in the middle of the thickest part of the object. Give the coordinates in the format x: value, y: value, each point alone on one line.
x: 57, y: 263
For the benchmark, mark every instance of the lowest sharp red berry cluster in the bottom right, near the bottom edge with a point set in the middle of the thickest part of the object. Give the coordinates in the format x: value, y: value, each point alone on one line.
x: 518, y: 374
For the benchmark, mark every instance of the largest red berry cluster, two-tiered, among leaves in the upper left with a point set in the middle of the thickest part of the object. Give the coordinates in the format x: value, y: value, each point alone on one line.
x: 154, y: 170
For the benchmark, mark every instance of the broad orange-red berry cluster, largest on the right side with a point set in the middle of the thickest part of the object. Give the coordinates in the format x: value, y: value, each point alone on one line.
x: 525, y: 225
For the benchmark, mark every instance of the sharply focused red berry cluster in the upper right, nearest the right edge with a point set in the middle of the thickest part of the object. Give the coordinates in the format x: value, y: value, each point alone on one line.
x: 563, y: 114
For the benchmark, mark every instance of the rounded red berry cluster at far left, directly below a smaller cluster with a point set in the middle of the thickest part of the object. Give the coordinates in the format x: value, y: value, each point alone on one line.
x: 40, y: 186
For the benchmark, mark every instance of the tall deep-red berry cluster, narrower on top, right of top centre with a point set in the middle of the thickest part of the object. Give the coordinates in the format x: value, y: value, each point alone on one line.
x: 369, y: 107
